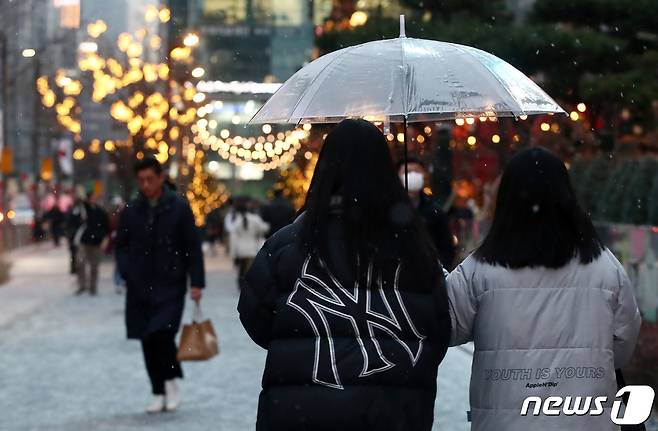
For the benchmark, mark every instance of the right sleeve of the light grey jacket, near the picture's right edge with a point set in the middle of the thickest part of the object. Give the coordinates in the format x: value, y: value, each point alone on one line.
x: 627, y: 321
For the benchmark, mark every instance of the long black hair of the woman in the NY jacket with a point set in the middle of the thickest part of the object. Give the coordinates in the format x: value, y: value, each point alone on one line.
x: 355, y: 176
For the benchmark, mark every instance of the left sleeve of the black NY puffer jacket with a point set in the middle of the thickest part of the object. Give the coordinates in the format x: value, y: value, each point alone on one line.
x: 258, y: 299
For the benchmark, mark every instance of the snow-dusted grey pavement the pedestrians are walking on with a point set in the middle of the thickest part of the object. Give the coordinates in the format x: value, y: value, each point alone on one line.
x: 65, y: 364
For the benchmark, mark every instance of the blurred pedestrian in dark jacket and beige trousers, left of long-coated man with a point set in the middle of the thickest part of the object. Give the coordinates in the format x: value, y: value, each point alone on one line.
x: 89, y: 238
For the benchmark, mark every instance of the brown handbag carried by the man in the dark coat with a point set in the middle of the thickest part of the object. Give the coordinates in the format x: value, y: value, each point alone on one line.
x: 198, y: 341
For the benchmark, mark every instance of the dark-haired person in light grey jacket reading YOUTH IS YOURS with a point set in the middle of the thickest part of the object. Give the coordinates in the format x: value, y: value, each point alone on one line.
x: 550, y: 310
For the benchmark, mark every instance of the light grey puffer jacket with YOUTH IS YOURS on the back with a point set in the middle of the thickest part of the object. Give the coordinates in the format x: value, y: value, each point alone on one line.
x: 543, y: 332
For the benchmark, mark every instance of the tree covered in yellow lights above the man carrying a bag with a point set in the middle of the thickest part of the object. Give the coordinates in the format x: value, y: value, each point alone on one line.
x: 138, y: 86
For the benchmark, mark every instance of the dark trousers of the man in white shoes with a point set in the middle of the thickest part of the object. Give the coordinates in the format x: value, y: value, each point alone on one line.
x: 160, y: 357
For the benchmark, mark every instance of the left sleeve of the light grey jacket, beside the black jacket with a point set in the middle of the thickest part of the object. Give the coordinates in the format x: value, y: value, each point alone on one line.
x: 463, y: 305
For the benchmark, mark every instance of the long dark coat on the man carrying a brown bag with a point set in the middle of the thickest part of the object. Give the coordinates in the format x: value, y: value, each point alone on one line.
x: 157, y: 249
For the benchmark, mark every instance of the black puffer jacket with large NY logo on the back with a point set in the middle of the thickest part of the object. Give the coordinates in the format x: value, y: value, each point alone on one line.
x: 342, y: 355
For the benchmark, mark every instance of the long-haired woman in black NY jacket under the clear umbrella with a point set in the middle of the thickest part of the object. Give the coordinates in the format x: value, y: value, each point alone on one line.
x: 349, y: 300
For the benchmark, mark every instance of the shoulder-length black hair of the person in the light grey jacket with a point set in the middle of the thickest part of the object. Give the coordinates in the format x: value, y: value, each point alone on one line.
x: 538, y: 221
